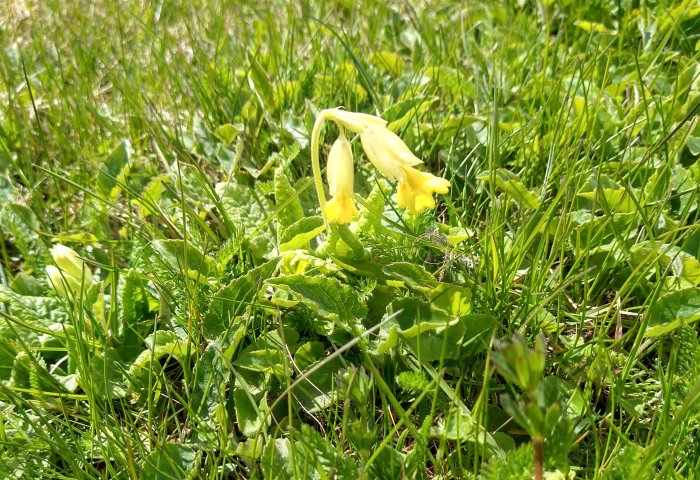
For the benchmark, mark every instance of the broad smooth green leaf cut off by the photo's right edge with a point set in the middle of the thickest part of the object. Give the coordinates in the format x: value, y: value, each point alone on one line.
x: 672, y: 311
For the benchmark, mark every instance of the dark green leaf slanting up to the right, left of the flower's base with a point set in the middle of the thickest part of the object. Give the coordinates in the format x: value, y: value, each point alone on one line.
x: 231, y: 300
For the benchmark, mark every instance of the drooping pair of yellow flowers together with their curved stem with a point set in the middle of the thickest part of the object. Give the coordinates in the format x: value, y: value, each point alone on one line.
x: 387, y: 152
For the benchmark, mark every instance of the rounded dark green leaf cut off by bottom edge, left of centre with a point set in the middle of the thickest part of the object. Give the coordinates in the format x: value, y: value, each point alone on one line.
x: 170, y: 461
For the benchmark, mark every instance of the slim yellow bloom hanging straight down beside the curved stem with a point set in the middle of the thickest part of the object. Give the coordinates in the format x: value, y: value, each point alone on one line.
x: 340, y: 173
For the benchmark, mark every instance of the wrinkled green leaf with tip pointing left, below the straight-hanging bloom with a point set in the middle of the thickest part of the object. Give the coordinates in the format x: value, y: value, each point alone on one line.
x: 335, y: 304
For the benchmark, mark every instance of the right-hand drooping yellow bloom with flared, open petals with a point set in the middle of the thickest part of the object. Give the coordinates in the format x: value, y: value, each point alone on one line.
x: 394, y: 159
